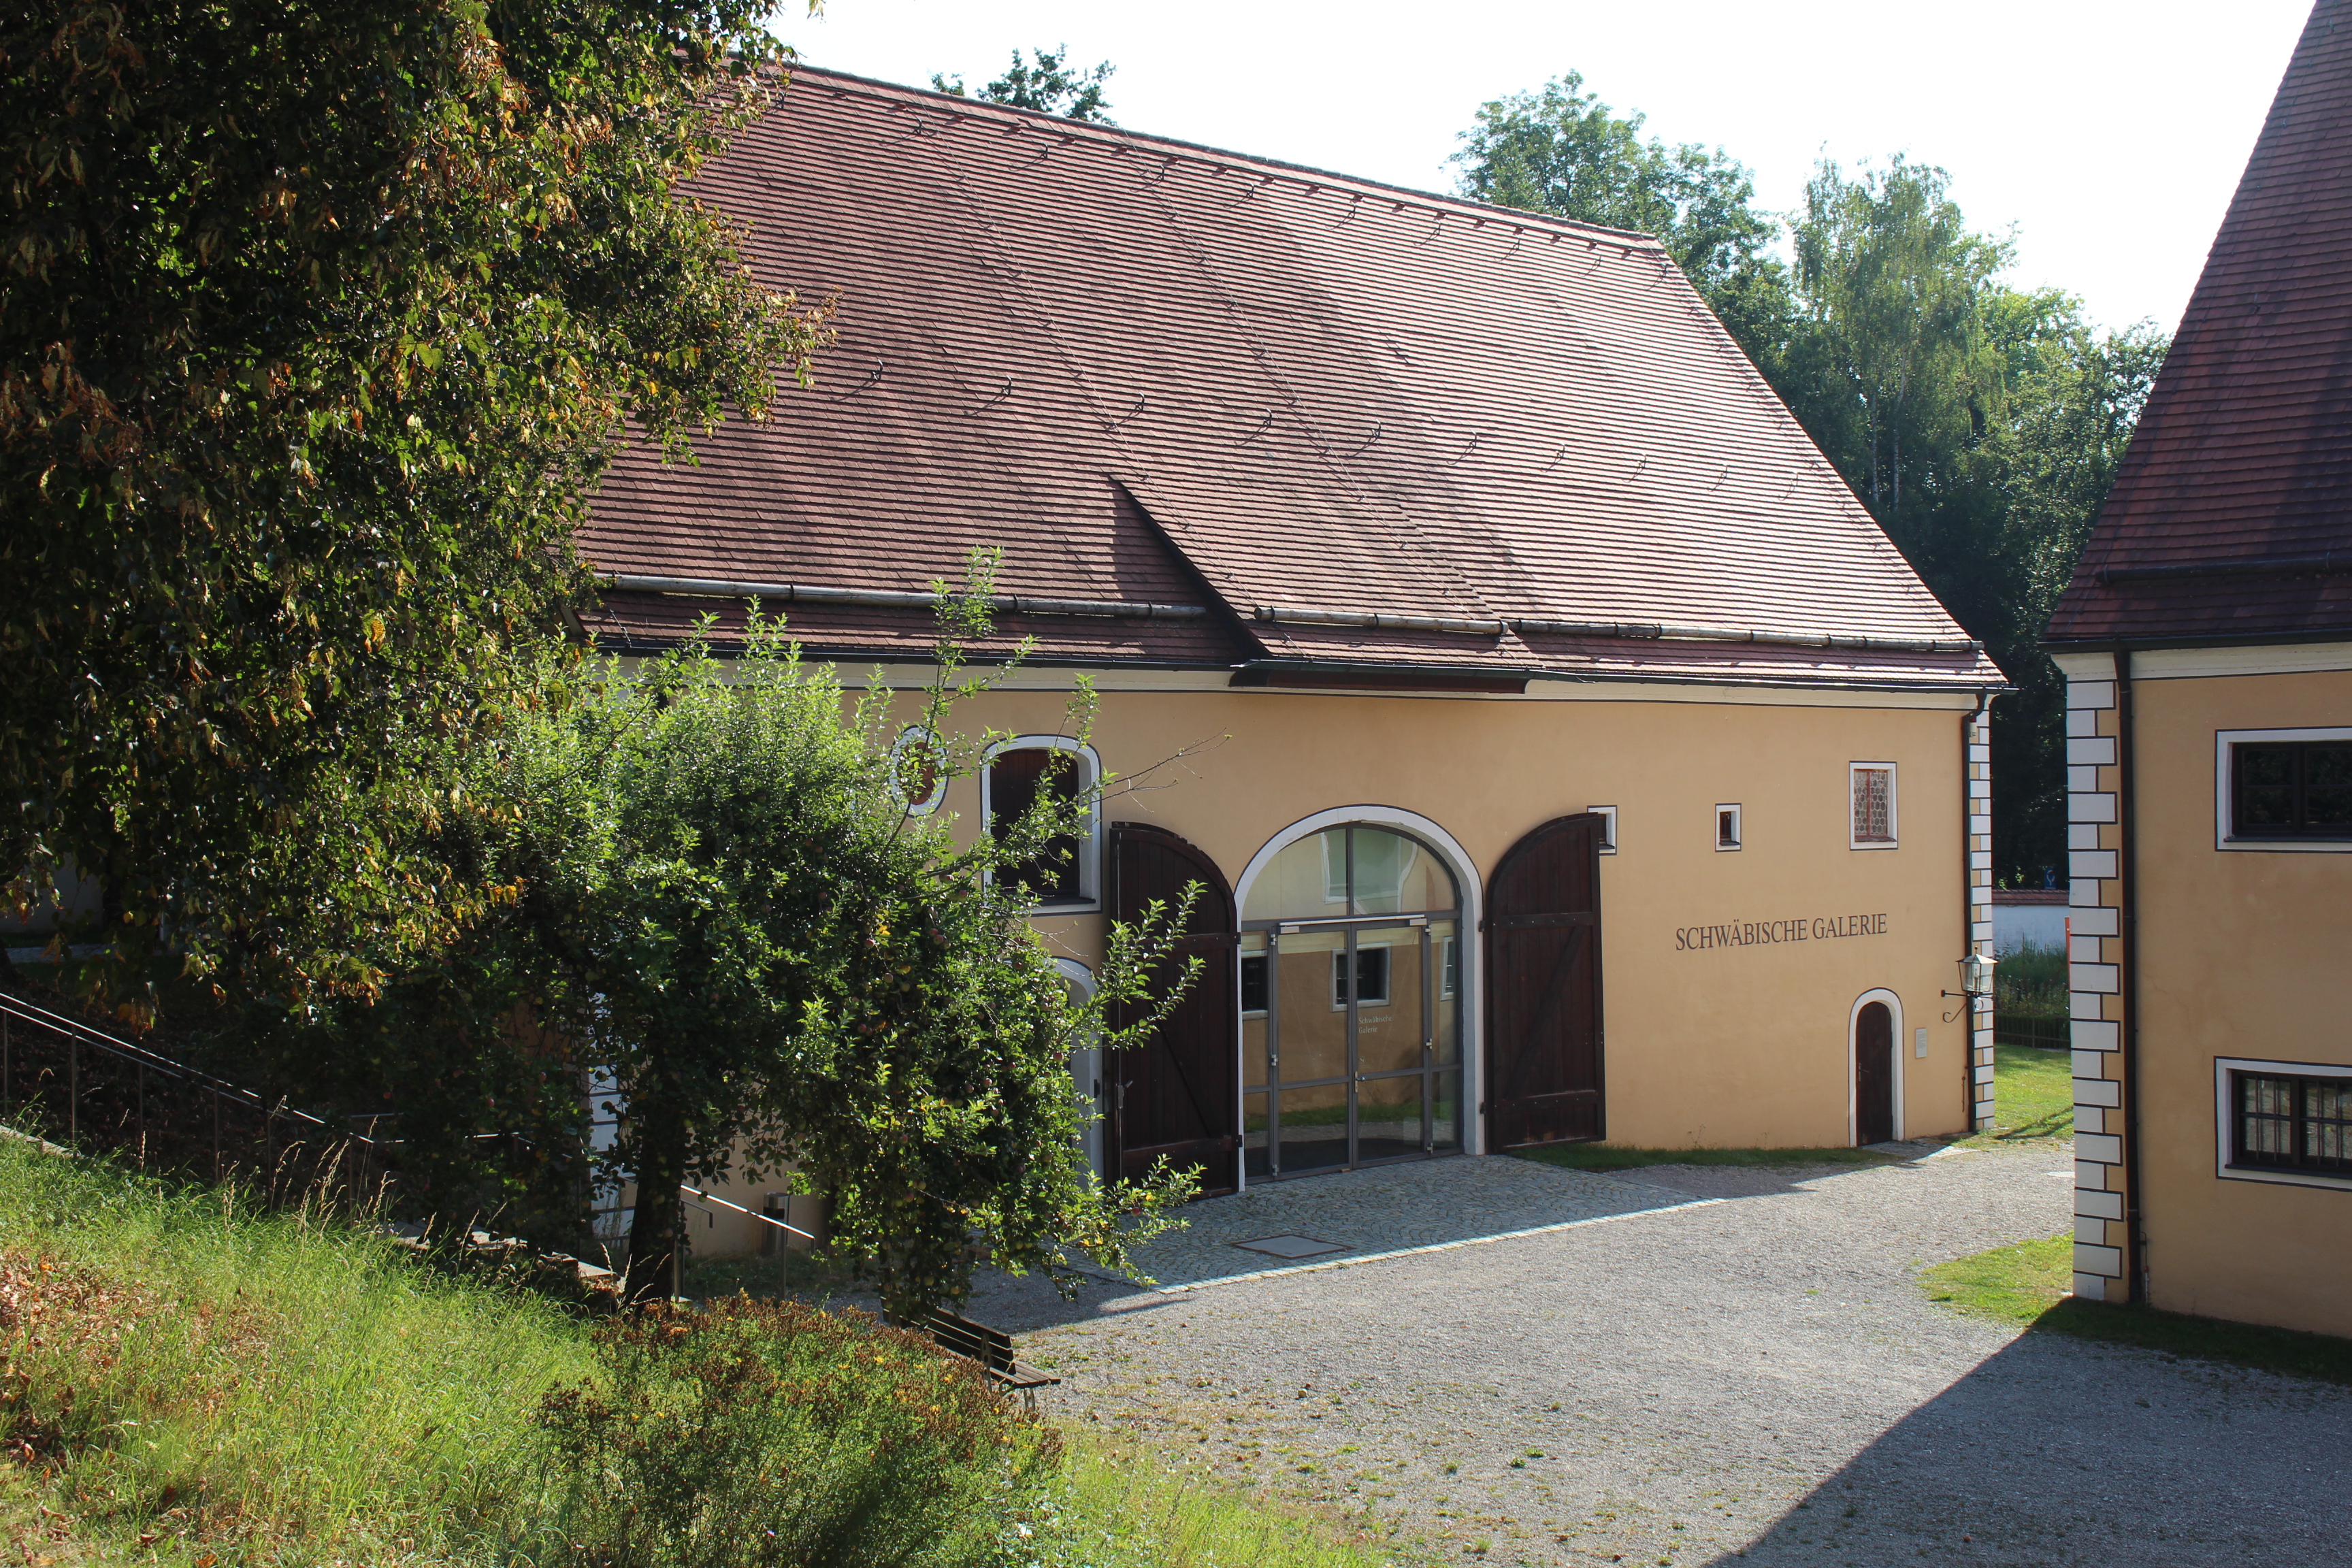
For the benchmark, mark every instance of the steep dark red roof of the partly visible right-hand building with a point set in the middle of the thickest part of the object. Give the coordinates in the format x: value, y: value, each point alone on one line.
x: 2233, y: 511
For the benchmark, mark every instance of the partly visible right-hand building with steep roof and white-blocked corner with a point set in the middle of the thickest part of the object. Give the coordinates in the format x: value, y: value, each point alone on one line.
x: 2207, y: 641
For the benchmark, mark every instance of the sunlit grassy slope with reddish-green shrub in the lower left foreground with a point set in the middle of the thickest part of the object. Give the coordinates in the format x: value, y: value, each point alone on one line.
x: 185, y: 1381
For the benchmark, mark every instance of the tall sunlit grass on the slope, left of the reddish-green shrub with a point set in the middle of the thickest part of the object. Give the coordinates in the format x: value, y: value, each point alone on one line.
x: 260, y: 1383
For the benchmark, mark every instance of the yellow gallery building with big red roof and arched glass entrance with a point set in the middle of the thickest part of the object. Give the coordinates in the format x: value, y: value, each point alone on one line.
x: 1518, y: 645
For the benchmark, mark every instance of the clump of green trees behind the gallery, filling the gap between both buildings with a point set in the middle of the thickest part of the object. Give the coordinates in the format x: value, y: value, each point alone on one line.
x: 1979, y: 424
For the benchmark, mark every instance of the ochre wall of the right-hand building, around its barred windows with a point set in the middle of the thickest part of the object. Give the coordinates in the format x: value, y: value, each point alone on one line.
x: 2243, y: 953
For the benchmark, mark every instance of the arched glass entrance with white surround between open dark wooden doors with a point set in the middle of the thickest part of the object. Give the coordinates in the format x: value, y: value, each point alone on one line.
x: 1351, y: 1003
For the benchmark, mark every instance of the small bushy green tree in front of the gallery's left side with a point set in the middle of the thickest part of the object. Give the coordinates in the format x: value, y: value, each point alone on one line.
x: 716, y: 902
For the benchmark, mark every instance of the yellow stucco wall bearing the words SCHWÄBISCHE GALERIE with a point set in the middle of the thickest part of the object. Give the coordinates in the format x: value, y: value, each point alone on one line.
x: 1706, y: 1047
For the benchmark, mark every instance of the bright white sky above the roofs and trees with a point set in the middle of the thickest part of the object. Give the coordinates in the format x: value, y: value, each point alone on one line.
x: 2109, y: 133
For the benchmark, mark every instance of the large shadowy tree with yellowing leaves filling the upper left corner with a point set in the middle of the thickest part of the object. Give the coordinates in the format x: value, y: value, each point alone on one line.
x: 316, y: 328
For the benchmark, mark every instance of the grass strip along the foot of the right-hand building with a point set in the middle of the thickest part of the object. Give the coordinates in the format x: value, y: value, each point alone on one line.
x: 2029, y: 1287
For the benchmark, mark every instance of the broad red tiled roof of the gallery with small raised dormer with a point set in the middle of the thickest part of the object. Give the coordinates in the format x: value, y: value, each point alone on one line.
x: 1151, y: 373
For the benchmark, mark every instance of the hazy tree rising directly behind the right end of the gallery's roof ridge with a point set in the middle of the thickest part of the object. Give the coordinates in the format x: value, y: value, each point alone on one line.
x: 1568, y: 154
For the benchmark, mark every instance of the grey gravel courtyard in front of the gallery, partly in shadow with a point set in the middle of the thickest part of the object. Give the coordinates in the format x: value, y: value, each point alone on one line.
x: 1702, y: 1381
